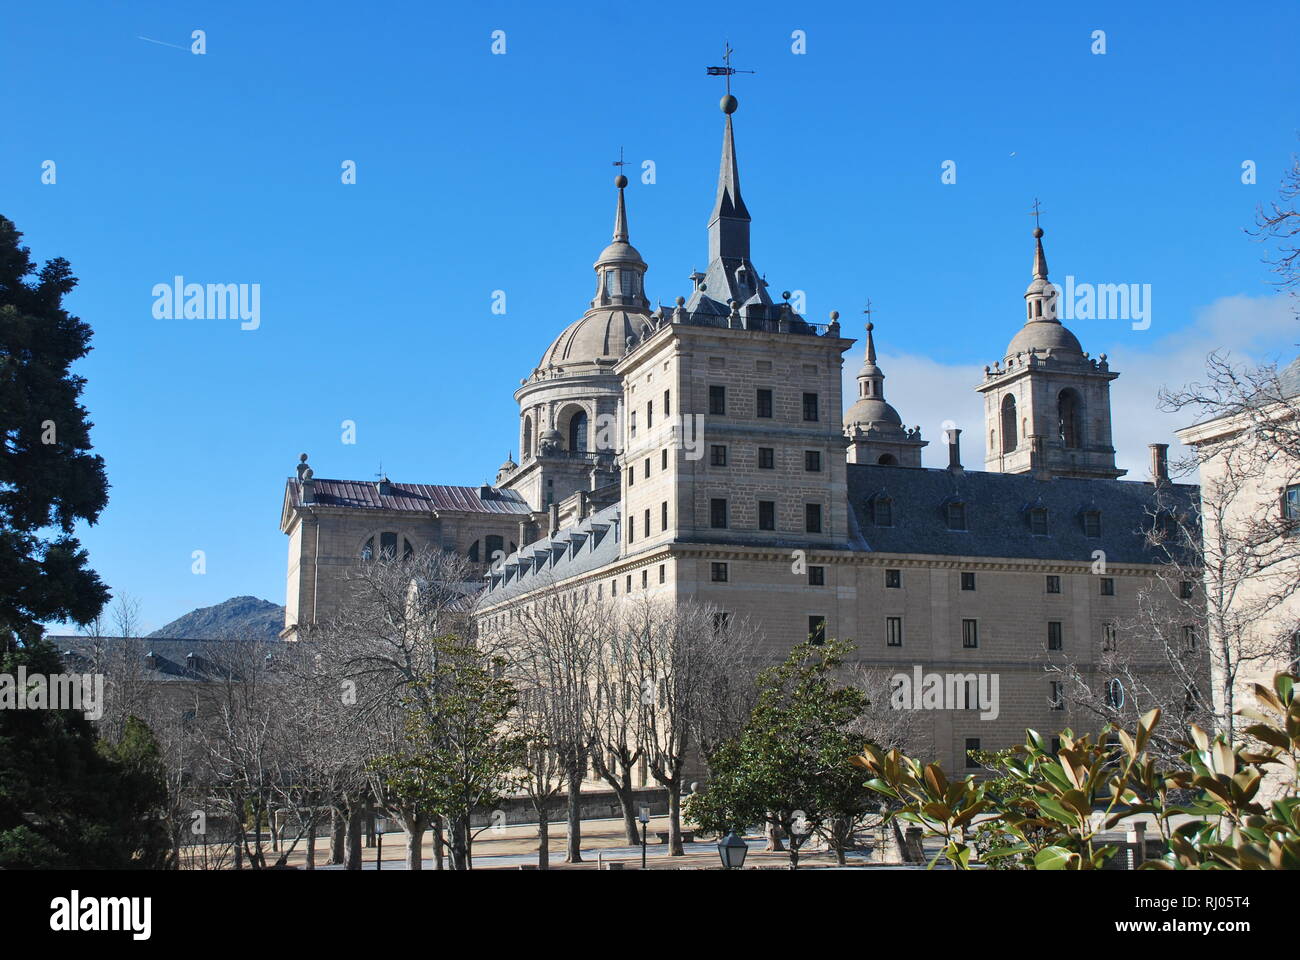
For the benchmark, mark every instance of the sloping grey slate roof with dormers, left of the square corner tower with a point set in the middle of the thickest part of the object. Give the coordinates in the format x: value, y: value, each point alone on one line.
x: 579, y: 550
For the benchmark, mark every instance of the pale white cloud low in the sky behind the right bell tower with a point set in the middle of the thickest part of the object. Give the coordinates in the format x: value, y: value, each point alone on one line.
x: 929, y: 393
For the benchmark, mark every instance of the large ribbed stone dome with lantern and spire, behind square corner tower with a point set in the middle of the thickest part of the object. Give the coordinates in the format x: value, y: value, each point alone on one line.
x: 569, y: 407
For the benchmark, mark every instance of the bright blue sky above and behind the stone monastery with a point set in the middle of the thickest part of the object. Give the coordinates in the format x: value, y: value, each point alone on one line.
x: 480, y: 172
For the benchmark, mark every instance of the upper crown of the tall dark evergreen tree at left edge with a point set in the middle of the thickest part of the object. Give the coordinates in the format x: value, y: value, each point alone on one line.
x: 49, y: 478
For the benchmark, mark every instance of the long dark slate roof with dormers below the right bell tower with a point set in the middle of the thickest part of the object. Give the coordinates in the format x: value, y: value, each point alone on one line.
x: 998, y: 514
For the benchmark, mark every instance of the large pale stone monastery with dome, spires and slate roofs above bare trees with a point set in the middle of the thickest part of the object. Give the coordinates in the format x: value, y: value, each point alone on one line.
x: 704, y: 451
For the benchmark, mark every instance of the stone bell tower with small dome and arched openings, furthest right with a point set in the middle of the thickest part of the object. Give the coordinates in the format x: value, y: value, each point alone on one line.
x: 1047, y: 404
